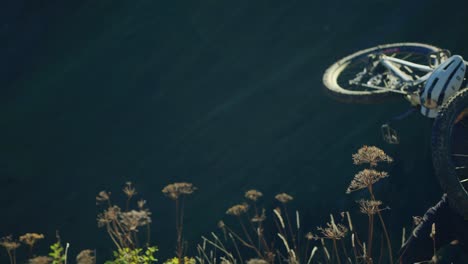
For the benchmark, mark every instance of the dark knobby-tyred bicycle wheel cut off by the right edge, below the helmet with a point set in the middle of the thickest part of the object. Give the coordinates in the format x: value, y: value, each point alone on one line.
x: 450, y: 150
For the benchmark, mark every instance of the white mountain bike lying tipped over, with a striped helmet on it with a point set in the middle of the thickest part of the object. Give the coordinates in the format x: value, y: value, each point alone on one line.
x: 431, y: 79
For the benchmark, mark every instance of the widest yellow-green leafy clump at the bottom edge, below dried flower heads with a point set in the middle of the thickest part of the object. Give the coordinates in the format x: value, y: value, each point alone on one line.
x: 134, y: 256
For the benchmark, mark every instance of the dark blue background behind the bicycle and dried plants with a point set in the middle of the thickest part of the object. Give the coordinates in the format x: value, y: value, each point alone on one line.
x: 224, y: 94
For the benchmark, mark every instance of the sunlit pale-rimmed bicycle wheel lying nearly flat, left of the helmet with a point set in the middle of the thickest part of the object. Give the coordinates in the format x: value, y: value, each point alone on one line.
x: 343, y: 79
